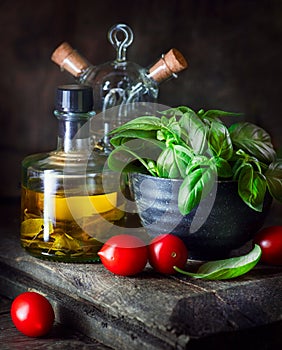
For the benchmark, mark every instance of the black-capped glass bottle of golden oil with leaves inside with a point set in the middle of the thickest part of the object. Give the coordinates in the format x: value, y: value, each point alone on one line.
x: 71, y: 202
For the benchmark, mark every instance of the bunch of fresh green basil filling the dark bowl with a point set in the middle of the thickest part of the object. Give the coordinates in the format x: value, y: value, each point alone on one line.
x: 200, y: 149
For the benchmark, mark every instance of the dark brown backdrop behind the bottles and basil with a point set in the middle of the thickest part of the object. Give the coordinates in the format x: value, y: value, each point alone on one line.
x: 233, y: 48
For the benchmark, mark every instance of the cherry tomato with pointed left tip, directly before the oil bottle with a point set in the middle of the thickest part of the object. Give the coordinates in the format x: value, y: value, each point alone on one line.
x: 124, y: 255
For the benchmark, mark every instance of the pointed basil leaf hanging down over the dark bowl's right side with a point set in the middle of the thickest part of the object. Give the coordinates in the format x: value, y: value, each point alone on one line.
x: 251, y: 187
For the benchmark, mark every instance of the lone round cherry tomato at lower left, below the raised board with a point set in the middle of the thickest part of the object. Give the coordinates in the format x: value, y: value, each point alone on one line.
x: 32, y: 314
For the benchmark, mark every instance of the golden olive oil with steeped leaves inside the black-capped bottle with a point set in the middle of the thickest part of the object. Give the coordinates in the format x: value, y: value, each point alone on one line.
x: 67, y: 228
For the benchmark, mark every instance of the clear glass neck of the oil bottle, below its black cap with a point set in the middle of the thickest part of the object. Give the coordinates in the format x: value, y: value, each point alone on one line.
x: 74, y: 132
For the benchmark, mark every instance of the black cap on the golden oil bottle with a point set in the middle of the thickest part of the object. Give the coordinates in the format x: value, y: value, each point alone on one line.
x: 74, y: 98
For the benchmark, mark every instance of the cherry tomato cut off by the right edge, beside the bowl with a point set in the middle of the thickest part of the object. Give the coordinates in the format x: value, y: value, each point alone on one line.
x: 270, y: 241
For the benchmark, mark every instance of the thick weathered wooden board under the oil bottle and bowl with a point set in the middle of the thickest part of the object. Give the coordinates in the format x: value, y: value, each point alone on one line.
x: 149, y: 310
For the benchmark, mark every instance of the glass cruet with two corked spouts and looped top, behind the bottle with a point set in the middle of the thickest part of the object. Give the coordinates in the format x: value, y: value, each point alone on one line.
x: 119, y: 83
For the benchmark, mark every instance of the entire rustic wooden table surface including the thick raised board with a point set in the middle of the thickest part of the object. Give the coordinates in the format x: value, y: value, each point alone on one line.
x: 150, y: 311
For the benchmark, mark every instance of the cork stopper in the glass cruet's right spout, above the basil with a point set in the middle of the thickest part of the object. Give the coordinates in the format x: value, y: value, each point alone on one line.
x: 168, y: 65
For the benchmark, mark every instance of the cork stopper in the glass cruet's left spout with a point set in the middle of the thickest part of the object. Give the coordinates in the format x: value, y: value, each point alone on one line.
x: 69, y: 59
